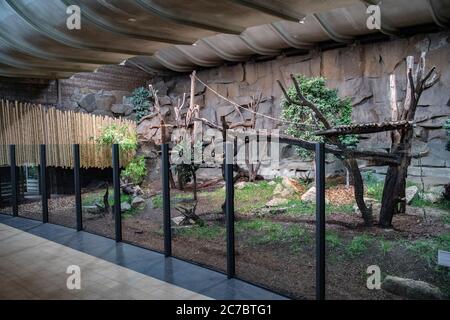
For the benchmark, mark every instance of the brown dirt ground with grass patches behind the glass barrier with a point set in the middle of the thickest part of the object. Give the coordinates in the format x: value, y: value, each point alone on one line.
x: 268, y: 258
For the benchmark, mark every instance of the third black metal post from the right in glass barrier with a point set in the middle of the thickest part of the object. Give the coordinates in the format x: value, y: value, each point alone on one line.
x: 165, y: 167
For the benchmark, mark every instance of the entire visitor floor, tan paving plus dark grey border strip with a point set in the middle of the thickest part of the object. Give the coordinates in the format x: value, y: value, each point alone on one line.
x: 35, y: 256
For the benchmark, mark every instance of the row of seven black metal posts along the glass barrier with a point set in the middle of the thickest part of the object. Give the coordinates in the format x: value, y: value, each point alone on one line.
x: 167, y: 230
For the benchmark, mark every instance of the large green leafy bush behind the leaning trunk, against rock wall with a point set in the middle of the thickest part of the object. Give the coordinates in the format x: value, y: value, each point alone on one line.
x: 337, y: 111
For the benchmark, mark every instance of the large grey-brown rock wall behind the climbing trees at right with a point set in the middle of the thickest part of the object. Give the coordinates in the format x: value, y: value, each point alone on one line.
x: 358, y: 71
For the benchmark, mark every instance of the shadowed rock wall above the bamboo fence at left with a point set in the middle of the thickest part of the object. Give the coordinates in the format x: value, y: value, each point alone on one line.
x: 105, y: 91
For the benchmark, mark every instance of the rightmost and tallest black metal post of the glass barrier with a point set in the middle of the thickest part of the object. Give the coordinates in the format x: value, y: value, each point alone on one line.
x: 320, y: 221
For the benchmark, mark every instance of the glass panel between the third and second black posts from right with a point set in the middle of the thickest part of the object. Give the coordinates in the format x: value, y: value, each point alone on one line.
x: 198, y: 226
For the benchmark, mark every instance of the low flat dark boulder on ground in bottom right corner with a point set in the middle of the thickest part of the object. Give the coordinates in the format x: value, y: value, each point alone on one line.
x: 411, y: 289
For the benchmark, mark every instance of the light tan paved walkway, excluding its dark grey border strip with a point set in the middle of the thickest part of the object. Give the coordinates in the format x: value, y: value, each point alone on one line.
x: 32, y: 267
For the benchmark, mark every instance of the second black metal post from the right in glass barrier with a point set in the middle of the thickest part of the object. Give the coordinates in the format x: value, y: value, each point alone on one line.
x: 229, y: 209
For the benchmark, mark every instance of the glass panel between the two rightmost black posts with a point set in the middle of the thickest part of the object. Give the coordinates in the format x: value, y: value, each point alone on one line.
x: 275, y: 228
